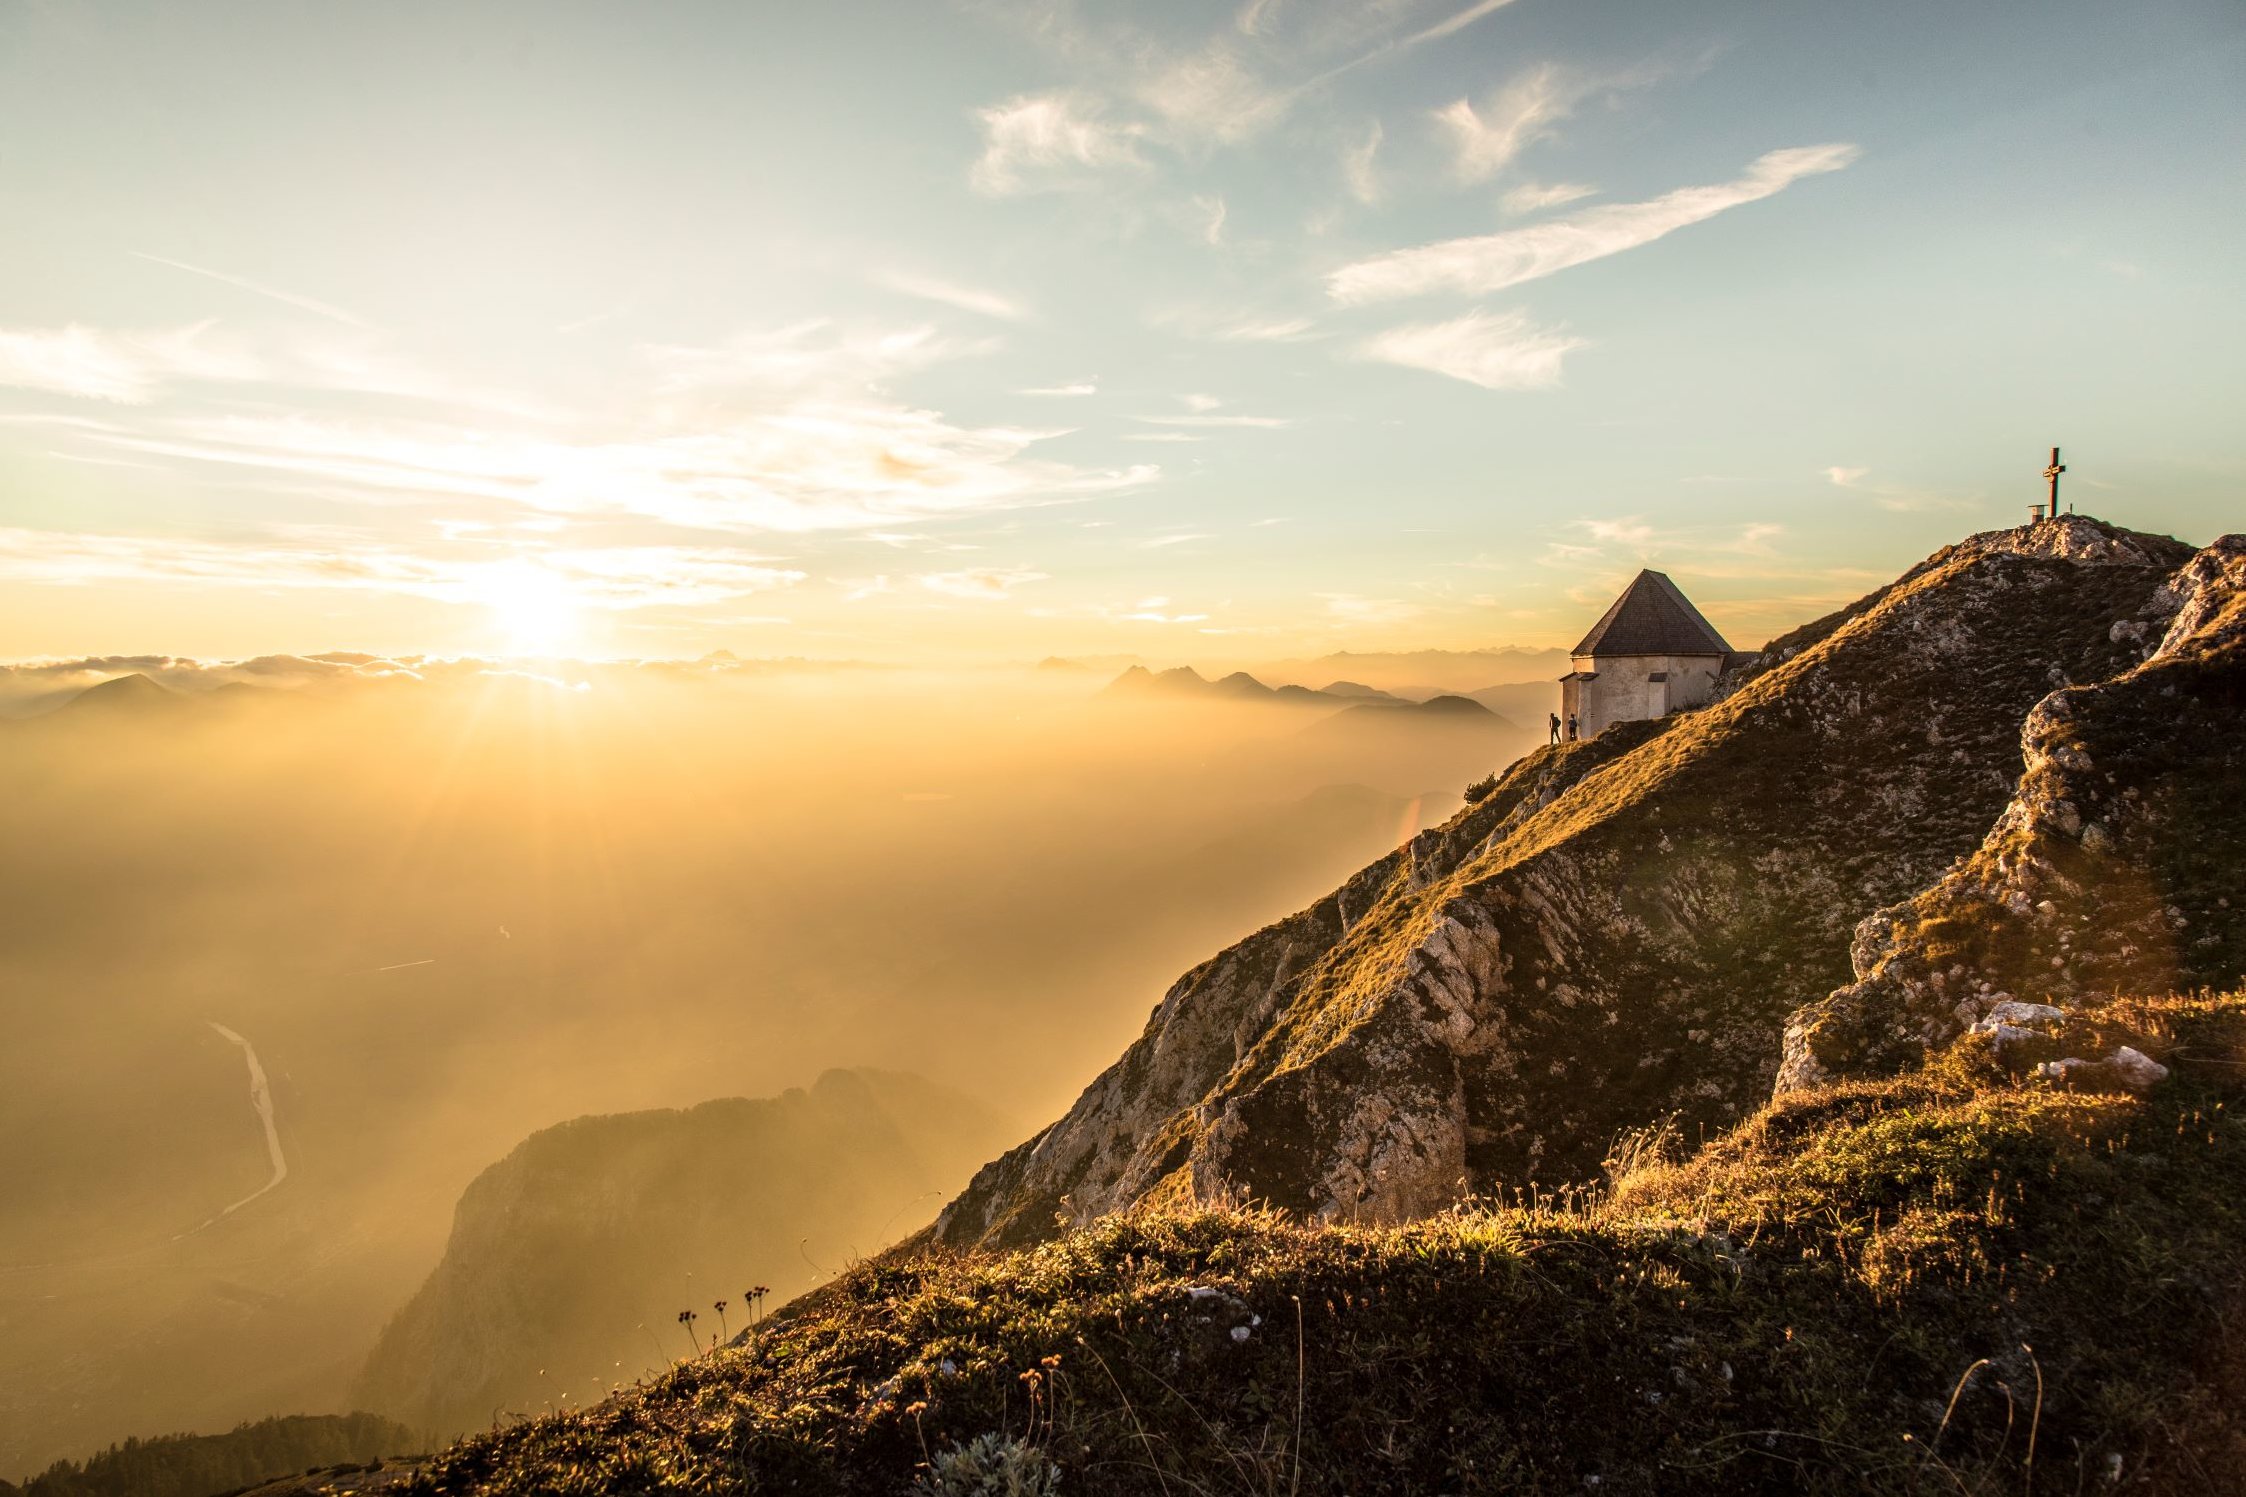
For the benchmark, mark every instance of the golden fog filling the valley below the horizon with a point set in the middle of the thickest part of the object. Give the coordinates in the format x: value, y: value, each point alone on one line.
x: 293, y: 953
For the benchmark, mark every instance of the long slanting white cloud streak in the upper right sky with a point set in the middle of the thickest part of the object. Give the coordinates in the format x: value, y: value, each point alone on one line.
x: 1497, y: 261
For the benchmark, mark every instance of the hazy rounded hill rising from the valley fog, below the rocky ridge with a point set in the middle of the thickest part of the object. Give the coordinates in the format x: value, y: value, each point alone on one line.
x: 572, y: 1258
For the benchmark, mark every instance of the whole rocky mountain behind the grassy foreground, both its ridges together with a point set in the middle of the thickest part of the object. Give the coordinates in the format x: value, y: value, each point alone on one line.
x: 1879, y: 832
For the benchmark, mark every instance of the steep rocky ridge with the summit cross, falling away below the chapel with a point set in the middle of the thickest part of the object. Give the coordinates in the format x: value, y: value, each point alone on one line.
x: 1616, y: 935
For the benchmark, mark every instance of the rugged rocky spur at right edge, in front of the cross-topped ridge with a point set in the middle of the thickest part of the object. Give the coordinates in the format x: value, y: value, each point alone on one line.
x: 2110, y: 872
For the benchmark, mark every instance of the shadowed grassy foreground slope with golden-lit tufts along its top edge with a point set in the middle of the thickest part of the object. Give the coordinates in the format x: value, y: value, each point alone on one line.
x: 1787, y: 1312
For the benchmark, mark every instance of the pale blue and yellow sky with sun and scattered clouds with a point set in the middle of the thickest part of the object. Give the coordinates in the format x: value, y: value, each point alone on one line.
x: 967, y: 333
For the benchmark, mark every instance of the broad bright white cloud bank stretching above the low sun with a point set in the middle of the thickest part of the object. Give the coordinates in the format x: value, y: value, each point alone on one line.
x: 783, y: 430
